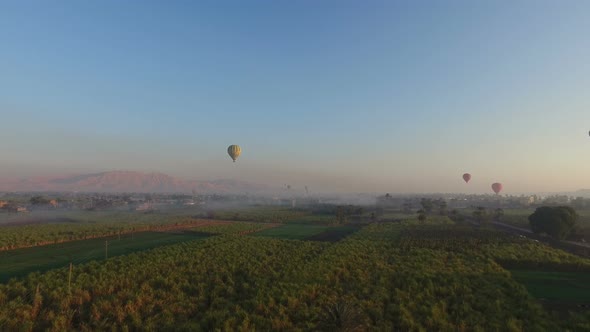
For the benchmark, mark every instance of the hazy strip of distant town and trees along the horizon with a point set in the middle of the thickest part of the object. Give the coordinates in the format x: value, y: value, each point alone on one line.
x: 23, y: 202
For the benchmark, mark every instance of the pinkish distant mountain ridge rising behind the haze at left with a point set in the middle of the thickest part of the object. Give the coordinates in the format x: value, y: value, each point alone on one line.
x: 129, y: 181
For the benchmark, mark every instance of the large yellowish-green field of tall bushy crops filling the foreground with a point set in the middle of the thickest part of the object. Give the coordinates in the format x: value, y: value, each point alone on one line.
x: 410, y: 276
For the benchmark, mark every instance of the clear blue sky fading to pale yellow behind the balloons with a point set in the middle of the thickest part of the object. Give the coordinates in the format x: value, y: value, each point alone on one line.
x: 343, y: 96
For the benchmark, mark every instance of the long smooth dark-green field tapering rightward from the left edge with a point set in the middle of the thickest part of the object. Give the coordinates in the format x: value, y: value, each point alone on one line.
x: 16, y: 263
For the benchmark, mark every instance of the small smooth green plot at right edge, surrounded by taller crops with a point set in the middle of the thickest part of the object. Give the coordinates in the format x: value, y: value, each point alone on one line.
x: 556, y: 286
